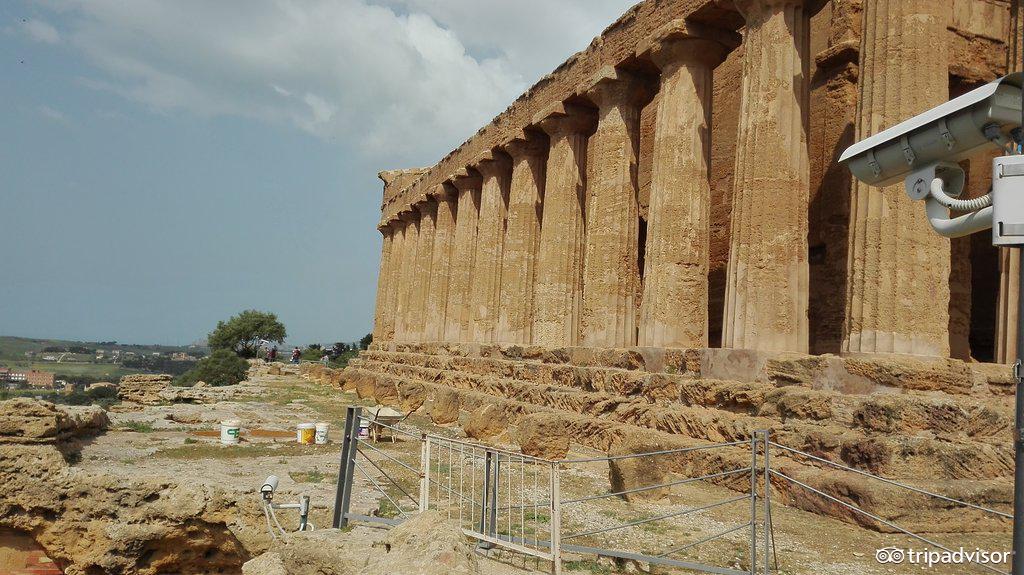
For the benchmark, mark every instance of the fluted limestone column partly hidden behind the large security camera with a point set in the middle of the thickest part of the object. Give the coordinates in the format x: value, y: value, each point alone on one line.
x: 899, y: 294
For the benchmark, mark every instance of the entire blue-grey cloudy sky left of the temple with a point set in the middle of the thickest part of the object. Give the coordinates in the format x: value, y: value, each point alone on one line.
x: 164, y: 165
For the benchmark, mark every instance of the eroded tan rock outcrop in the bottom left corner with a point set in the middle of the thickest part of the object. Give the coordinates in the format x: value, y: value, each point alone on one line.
x: 90, y: 523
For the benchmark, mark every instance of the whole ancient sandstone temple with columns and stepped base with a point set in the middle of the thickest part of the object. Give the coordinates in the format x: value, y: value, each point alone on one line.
x: 658, y: 236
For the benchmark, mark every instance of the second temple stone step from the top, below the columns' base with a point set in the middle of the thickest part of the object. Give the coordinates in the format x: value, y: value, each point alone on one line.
x: 884, y: 413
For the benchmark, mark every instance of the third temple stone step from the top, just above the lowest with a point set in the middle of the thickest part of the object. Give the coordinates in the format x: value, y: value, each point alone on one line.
x: 889, y: 454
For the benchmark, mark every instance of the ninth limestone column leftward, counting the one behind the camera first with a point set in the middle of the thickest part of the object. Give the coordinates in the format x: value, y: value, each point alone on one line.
x: 438, y: 291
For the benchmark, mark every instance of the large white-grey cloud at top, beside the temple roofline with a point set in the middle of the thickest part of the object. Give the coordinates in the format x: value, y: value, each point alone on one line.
x: 399, y: 81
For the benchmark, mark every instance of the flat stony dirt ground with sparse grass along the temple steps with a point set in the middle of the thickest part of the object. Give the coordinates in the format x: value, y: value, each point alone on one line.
x: 183, y: 440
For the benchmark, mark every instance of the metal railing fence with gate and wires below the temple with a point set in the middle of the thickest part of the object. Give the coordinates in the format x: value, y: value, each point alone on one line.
x: 545, y: 509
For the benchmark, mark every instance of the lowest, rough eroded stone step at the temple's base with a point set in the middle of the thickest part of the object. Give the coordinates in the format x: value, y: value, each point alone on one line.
x: 379, y: 381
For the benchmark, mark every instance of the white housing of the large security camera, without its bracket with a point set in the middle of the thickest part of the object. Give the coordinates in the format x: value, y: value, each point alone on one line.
x: 951, y: 132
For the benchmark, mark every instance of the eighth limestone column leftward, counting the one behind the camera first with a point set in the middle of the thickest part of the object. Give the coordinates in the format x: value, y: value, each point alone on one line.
x: 457, y: 317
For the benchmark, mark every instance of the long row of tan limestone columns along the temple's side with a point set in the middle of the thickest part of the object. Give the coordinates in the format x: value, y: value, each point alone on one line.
x: 537, y: 243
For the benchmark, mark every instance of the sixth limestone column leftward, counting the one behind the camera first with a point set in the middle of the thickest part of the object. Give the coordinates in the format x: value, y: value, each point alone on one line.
x: 516, y: 316
